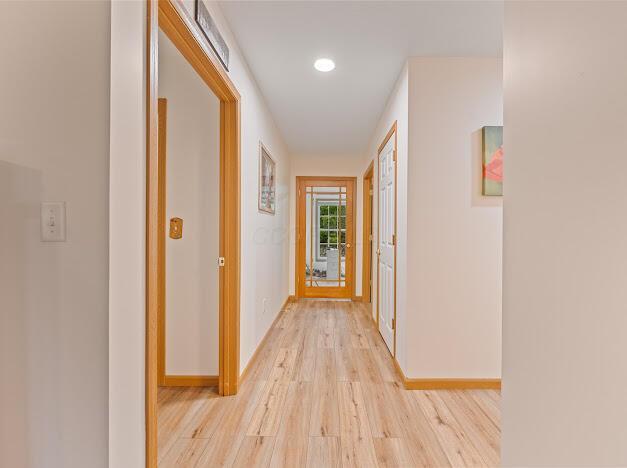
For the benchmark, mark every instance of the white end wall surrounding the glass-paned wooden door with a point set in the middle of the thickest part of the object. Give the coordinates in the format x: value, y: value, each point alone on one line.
x: 339, y: 165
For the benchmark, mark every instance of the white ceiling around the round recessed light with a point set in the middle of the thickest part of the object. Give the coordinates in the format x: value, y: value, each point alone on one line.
x: 336, y: 112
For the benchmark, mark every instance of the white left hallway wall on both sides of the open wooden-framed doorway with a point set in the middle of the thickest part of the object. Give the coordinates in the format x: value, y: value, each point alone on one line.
x: 264, y: 243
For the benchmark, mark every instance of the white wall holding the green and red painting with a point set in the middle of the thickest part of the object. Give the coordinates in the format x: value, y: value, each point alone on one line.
x: 454, y: 253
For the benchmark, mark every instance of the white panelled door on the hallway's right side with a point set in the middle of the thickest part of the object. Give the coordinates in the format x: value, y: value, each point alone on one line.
x: 386, y: 239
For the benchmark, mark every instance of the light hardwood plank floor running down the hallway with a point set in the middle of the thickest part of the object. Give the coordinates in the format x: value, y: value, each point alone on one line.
x: 323, y: 391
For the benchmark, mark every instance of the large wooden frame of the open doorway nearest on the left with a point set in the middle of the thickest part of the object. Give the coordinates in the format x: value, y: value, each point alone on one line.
x: 182, y: 30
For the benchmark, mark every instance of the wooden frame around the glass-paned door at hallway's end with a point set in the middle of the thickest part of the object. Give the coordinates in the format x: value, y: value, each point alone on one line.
x: 301, y: 182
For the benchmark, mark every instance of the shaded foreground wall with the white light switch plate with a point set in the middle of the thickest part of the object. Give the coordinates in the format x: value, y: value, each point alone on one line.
x: 54, y: 146
